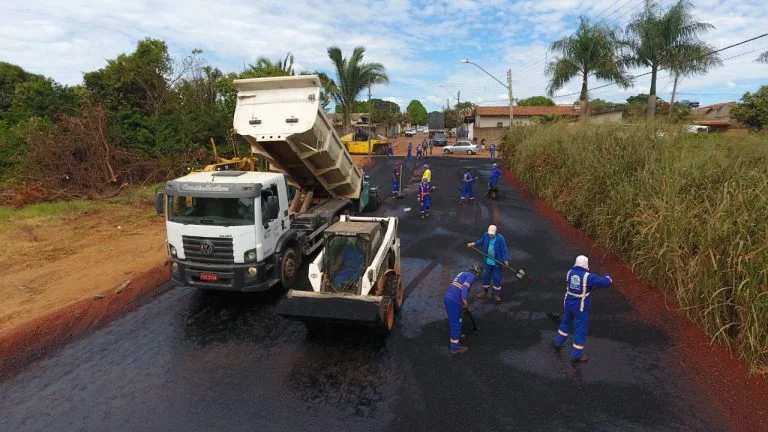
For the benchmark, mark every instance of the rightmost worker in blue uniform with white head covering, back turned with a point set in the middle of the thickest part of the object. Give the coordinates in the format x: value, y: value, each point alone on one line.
x: 579, y: 283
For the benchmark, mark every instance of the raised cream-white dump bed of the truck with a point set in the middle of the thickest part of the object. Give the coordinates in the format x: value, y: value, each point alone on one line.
x: 282, y: 120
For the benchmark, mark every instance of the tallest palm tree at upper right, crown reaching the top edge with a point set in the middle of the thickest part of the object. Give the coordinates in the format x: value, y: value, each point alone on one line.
x: 656, y: 37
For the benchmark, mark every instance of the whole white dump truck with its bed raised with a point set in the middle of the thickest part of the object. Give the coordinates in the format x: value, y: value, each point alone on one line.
x: 246, y: 230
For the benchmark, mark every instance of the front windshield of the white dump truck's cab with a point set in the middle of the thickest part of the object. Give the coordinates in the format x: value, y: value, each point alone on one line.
x: 211, y: 211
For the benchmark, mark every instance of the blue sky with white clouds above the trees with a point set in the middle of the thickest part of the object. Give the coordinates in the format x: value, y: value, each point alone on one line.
x: 420, y: 43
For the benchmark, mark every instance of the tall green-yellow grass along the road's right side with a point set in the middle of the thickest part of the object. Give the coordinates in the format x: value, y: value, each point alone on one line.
x: 688, y: 212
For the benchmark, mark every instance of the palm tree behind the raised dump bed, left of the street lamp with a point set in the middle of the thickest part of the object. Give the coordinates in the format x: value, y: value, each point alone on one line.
x: 352, y: 76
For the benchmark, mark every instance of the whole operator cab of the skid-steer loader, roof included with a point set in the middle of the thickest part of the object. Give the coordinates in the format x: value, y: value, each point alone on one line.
x: 349, y: 249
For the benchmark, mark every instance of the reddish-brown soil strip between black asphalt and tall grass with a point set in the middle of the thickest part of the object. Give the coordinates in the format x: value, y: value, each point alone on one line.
x: 742, y: 397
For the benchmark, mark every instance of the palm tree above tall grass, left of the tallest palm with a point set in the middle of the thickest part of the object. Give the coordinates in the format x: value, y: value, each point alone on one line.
x: 591, y: 51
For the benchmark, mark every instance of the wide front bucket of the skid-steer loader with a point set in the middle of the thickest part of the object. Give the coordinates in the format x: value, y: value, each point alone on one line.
x: 330, y: 307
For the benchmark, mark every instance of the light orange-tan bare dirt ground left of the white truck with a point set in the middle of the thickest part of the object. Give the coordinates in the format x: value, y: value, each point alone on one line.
x: 48, y: 263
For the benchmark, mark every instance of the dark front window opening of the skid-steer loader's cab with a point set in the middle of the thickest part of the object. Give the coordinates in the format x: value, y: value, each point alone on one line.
x: 345, y: 262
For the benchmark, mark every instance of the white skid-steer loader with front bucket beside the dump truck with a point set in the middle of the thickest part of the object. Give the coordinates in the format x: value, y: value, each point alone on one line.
x: 355, y: 278
